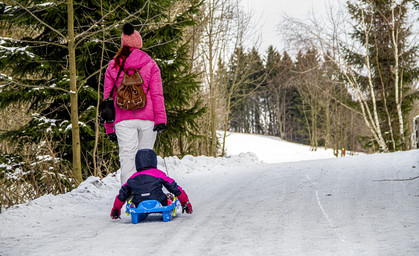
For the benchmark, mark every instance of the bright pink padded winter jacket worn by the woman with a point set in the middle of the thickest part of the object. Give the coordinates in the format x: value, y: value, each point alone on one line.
x: 154, y: 109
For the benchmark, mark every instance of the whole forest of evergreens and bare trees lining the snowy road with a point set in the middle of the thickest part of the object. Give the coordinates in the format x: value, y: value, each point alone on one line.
x: 347, y: 81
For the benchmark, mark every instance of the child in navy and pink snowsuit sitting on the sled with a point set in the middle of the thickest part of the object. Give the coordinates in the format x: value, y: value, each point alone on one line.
x: 147, y: 184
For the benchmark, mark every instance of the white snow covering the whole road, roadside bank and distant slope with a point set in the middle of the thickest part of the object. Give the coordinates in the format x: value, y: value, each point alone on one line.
x: 301, y: 203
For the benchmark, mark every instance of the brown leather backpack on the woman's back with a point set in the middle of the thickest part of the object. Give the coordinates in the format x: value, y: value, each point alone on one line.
x: 130, y: 94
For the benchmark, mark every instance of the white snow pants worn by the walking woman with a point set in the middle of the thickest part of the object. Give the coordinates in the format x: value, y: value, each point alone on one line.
x: 133, y: 135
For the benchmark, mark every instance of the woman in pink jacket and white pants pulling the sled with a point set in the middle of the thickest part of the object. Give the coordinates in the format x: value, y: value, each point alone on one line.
x: 135, y: 129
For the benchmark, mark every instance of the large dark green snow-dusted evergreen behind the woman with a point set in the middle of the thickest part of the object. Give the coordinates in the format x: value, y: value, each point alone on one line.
x: 35, y: 67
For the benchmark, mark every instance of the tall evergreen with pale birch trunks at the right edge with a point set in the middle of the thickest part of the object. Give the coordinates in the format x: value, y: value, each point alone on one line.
x: 389, y: 66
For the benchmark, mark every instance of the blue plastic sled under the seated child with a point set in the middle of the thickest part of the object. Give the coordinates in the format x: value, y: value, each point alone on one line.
x: 152, y: 206
